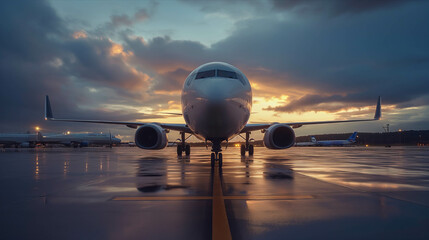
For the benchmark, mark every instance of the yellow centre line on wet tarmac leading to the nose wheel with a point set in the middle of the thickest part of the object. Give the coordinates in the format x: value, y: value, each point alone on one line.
x: 220, y: 225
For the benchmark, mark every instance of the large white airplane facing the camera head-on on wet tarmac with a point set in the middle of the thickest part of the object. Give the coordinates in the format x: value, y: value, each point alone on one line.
x: 216, y: 105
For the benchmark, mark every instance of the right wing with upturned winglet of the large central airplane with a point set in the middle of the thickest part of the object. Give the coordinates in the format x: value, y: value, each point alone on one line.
x: 254, y: 127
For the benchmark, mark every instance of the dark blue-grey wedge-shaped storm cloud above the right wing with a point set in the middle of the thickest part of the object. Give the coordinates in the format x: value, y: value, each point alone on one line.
x: 382, y: 53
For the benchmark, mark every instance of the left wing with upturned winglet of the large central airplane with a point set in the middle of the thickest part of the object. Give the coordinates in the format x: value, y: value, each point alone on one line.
x: 176, y: 127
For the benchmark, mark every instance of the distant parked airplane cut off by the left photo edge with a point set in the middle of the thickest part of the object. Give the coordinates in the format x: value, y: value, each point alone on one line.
x: 25, y: 140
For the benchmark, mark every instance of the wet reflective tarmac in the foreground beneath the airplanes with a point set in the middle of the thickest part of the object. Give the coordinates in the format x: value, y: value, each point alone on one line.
x: 299, y: 193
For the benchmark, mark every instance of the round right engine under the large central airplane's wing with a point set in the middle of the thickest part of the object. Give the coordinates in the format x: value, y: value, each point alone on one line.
x: 279, y: 136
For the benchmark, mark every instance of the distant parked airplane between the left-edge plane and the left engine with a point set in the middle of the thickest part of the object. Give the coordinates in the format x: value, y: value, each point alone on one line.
x: 81, y: 139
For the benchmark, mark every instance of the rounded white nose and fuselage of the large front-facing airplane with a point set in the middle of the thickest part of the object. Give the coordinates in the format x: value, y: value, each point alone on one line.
x: 216, y: 101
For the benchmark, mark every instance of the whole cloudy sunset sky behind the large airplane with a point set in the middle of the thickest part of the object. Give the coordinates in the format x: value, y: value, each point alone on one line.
x: 307, y: 60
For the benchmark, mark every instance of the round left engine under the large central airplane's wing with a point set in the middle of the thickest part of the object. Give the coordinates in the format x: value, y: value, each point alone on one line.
x: 151, y: 136
